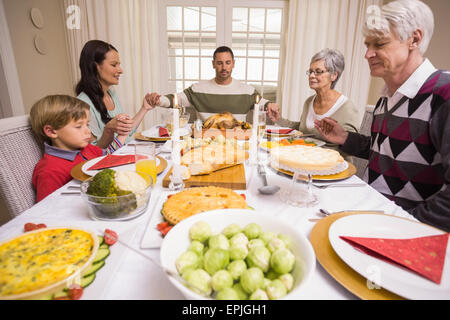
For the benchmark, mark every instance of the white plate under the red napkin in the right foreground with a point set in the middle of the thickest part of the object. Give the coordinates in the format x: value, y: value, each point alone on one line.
x: 396, y: 279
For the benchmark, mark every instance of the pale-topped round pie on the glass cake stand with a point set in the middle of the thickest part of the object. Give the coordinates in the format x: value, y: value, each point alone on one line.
x: 314, y: 159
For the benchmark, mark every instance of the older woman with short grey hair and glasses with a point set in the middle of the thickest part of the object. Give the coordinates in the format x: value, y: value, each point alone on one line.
x: 325, y: 69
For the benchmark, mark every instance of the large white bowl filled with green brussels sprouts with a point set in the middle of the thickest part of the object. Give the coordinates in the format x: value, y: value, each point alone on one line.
x: 237, y: 254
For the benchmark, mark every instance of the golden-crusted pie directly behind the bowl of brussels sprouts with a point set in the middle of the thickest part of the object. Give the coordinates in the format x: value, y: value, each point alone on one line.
x: 195, y: 200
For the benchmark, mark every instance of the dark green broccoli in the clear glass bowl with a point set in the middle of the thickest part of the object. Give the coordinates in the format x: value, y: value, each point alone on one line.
x: 104, y: 185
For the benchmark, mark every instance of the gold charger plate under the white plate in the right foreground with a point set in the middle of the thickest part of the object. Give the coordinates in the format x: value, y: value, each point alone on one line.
x: 337, y: 268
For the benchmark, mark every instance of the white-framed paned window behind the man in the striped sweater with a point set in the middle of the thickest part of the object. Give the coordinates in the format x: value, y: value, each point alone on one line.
x: 194, y: 29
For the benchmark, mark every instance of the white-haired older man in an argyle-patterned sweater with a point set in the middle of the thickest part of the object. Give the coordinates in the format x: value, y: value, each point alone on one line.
x: 409, y: 146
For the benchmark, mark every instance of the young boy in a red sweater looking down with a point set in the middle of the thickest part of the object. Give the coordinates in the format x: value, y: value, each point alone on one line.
x: 62, y: 123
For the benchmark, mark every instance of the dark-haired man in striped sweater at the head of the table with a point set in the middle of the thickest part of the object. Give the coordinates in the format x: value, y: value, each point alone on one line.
x: 220, y: 94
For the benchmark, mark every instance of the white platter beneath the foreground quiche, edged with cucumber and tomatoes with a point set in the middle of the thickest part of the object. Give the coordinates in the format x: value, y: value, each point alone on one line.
x: 104, y: 277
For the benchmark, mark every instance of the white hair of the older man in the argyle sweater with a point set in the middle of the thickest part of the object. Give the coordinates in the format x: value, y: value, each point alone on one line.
x: 401, y: 17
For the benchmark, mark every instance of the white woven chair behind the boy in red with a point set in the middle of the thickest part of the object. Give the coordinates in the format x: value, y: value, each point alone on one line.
x: 19, y: 153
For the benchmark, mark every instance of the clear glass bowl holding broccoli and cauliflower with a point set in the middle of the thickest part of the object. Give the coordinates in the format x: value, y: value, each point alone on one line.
x: 117, y: 195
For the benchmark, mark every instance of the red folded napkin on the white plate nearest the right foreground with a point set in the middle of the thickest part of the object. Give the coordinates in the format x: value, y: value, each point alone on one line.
x: 424, y: 255
